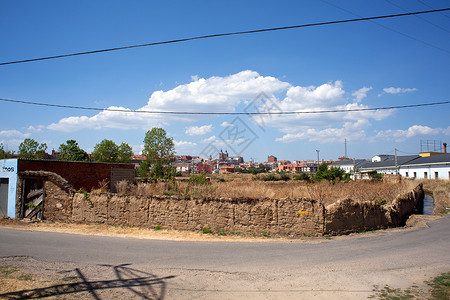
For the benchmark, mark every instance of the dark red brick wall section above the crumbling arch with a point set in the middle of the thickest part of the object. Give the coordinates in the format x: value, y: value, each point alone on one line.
x: 79, y: 174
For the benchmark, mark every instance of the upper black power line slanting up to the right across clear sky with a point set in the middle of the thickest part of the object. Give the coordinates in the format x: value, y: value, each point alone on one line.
x: 226, y: 34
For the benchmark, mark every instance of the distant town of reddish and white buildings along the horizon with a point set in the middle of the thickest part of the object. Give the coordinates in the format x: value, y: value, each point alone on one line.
x: 425, y: 165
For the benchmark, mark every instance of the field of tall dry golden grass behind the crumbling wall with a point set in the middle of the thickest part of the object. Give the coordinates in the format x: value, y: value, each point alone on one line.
x: 242, y: 187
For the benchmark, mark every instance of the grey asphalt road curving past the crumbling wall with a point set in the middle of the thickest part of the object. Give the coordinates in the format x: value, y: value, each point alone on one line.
x: 346, y: 268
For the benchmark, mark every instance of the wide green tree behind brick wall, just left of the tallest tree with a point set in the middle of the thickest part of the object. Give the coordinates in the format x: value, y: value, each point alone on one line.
x: 108, y: 151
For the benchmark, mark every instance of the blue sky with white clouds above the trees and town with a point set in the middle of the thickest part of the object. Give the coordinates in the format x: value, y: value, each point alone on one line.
x: 389, y: 62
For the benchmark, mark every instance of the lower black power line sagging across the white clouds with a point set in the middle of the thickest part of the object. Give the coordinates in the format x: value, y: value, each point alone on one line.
x: 225, y: 113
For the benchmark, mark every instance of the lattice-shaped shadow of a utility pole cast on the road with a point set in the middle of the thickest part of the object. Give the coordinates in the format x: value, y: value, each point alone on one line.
x: 140, y: 283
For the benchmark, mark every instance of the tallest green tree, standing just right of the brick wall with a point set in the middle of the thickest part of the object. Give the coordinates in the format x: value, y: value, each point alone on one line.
x: 159, y: 150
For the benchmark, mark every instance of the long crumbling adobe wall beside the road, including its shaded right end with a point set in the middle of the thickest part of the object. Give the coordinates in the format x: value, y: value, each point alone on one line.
x: 284, y: 217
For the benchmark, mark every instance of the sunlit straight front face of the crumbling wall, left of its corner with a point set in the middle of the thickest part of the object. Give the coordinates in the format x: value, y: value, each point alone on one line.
x: 287, y: 217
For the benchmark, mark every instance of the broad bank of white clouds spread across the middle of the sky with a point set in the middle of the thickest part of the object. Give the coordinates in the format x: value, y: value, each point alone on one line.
x: 228, y: 93
